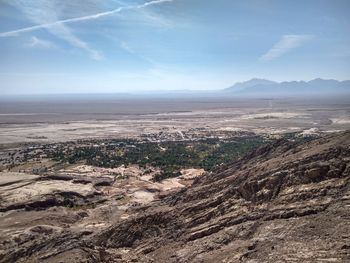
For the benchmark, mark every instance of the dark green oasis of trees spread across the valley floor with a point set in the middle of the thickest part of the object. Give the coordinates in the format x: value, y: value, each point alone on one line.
x: 169, y: 156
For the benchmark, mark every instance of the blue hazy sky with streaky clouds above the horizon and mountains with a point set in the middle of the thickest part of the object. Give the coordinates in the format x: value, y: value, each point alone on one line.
x: 112, y: 46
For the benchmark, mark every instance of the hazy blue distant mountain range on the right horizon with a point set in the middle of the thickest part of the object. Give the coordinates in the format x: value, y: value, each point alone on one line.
x: 258, y: 87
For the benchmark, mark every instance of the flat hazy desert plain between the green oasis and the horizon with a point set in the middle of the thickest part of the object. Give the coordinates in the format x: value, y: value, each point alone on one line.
x: 72, y: 119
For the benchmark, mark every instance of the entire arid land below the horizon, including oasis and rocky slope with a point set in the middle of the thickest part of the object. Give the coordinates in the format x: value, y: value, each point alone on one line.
x: 194, y: 180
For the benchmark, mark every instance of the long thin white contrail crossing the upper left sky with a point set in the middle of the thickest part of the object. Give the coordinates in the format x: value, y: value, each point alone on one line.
x: 82, y: 18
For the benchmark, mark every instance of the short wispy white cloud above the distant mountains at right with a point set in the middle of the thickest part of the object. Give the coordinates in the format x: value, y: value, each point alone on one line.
x: 284, y: 45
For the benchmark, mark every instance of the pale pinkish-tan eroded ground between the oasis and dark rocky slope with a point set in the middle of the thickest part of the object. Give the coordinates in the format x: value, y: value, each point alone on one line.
x: 106, y: 204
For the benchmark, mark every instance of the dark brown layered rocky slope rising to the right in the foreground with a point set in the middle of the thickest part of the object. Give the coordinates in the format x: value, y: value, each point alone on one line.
x: 282, y: 203
